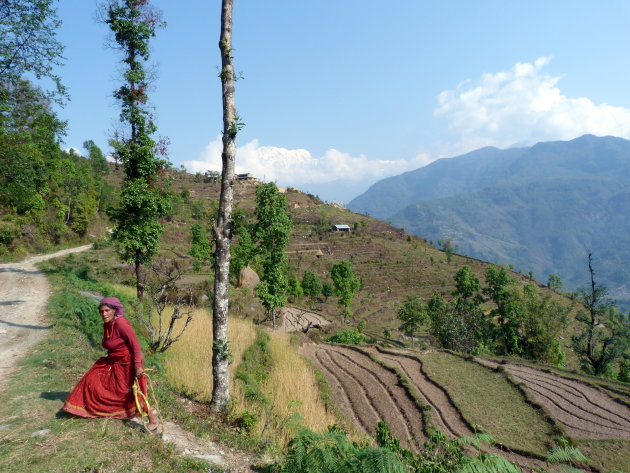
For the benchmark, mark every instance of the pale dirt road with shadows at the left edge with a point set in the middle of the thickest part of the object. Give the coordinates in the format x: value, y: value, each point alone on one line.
x: 24, y: 292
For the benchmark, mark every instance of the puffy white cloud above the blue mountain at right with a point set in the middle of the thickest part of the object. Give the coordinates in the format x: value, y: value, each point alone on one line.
x: 524, y: 105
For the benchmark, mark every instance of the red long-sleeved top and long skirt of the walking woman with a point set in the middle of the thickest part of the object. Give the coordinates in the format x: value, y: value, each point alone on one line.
x: 106, y: 389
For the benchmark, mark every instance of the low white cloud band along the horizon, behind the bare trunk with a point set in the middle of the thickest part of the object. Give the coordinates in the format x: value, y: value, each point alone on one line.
x: 292, y: 167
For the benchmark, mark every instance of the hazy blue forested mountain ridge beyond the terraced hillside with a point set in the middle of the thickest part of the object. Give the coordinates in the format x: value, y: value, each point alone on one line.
x: 539, y: 208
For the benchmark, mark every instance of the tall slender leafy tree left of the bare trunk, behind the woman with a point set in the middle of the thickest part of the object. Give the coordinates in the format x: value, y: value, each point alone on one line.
x: 138, y: 229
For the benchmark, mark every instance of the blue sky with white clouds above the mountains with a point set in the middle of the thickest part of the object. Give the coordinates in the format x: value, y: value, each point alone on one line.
x: 339, y: 94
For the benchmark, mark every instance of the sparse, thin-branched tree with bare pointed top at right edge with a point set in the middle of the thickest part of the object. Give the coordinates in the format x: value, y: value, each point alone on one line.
x: 605, y: 340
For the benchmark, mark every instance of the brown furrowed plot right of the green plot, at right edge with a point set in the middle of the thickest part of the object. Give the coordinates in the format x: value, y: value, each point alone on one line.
x: 584, y: 411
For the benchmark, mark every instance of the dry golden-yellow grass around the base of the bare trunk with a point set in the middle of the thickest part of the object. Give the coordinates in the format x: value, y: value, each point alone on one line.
x: 291, y: 388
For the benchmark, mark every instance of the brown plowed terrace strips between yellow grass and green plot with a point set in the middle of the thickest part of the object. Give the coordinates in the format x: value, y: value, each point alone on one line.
x: 367, y: 392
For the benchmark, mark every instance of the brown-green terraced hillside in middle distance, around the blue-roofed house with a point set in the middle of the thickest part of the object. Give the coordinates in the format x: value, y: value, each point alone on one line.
x: 390, y: 262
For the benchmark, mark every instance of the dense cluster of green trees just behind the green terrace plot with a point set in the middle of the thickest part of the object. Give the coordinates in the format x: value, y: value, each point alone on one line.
x: 521, y: 322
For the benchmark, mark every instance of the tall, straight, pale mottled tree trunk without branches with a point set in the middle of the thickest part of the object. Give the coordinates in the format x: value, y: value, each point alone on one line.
x: 223, y: 227
